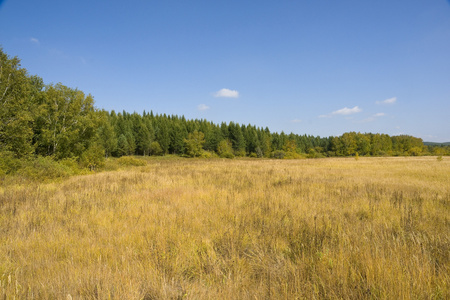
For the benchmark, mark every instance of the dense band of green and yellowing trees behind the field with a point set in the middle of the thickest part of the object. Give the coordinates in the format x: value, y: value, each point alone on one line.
x: 53, y: 120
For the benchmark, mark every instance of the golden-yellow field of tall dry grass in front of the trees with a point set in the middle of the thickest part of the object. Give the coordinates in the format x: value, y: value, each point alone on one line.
x: 373, y: 228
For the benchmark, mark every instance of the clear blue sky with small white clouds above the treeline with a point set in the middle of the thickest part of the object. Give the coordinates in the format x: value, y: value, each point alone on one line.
x: 321, y: 67
